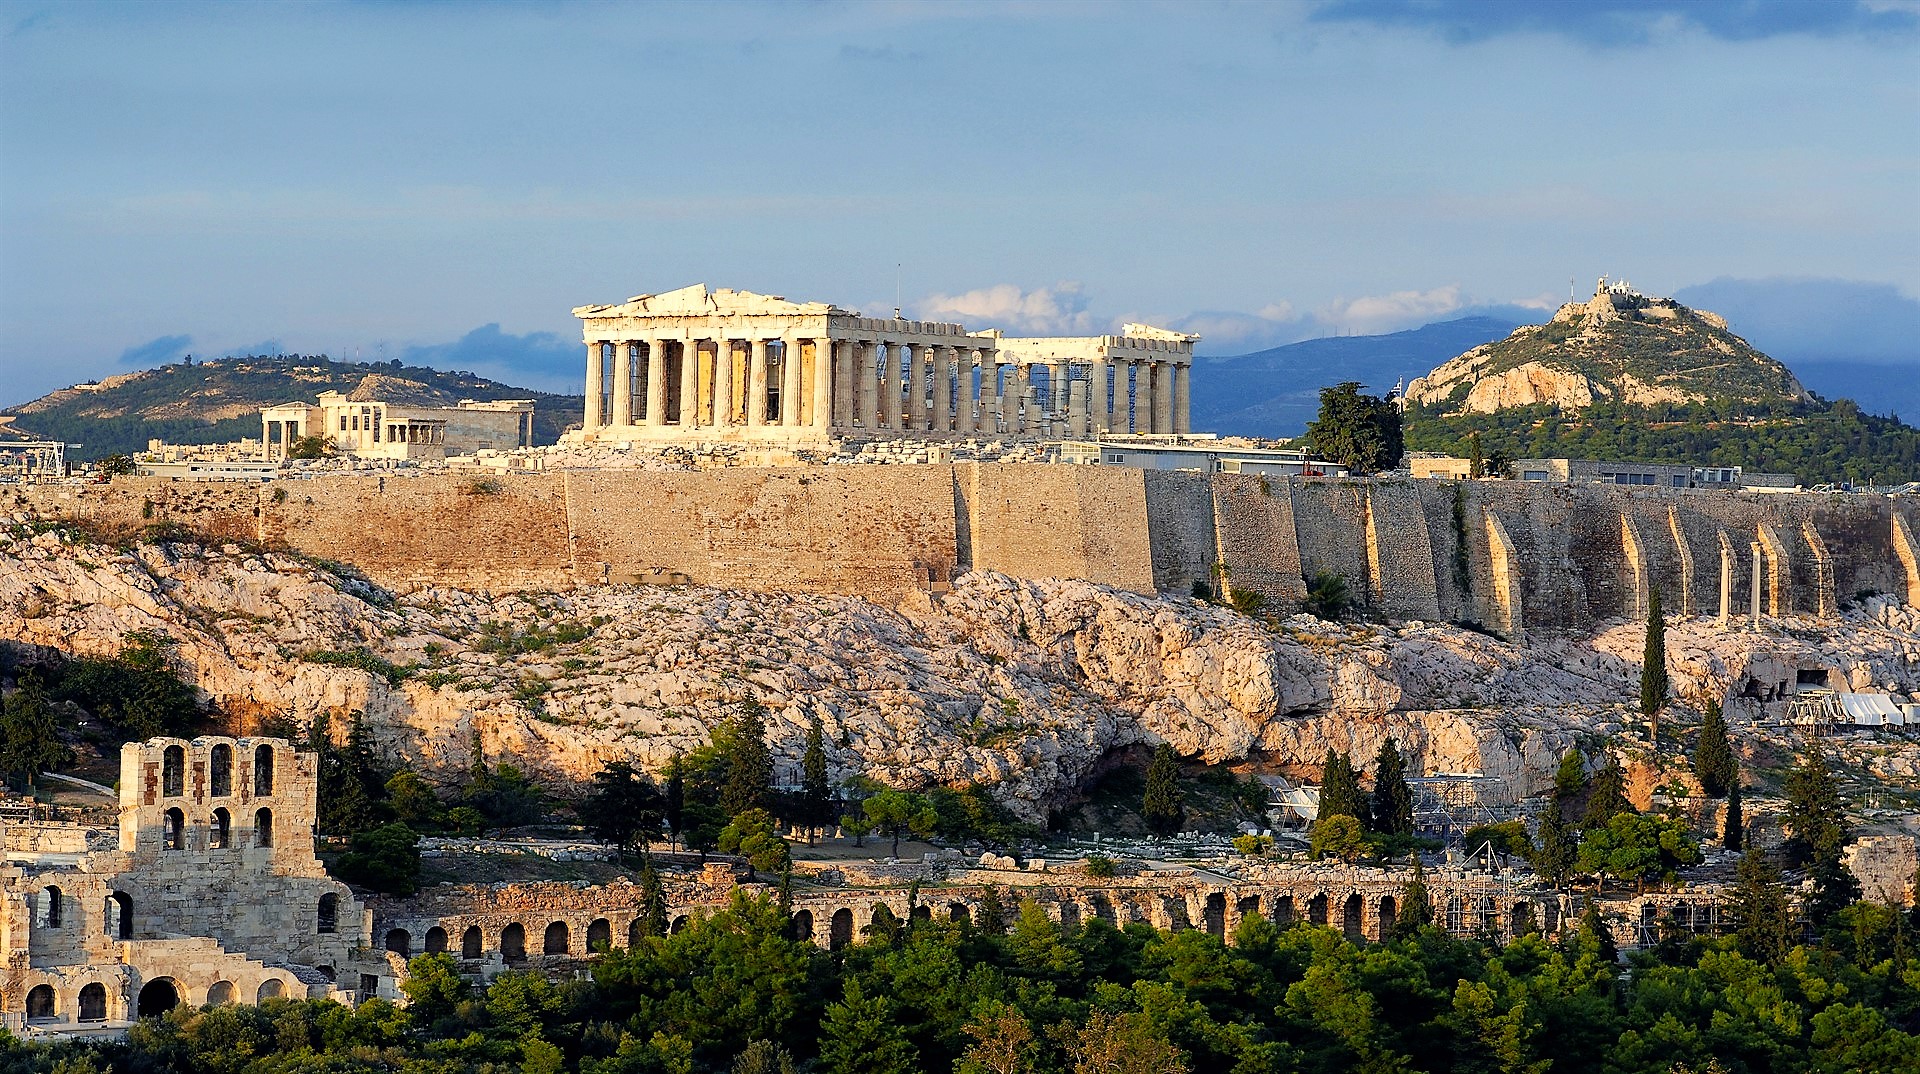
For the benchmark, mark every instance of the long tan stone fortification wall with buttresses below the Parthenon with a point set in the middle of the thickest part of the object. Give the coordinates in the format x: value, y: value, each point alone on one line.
x: 1510, y: 556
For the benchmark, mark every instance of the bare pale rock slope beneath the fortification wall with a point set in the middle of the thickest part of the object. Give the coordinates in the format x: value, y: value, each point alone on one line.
x: 1013, y: 683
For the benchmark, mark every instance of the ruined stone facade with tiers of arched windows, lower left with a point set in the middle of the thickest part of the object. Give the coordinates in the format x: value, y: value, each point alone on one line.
x: 208, y: 892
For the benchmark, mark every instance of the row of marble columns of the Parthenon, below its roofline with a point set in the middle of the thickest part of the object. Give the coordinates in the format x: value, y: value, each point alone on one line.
x: 859, y: 383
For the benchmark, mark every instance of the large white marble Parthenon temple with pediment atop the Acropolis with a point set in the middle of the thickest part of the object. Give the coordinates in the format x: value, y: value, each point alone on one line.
x: 700, y: 364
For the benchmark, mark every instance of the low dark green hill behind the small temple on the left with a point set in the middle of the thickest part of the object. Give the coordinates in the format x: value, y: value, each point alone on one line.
x: 220, y: 401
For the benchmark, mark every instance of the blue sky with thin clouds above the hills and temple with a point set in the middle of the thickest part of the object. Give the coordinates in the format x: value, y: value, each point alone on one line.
x: 448, y: 182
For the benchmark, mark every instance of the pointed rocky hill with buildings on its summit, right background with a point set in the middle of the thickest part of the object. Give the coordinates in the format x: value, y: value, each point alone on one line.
x: 1616, y: 349
